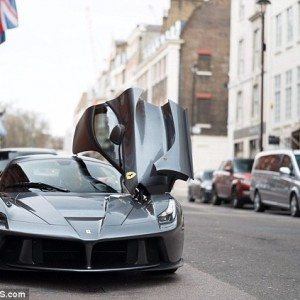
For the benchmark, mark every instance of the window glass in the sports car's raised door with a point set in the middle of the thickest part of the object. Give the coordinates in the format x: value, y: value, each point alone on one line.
x: 104, y: 122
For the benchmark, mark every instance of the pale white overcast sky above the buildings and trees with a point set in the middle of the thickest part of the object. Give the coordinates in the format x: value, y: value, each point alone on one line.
x: 59, y: 48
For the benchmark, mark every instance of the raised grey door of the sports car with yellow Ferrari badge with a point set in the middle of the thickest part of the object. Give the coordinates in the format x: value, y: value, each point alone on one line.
x: 155, y: 149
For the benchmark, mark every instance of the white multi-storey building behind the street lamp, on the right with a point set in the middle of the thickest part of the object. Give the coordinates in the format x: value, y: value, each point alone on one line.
x: 281, y: 81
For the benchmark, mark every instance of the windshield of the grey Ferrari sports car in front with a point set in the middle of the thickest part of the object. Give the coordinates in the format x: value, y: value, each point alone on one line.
x: 72, y: 174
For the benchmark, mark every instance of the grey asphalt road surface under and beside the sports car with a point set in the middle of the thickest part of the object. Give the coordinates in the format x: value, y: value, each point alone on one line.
x: 229, y: 254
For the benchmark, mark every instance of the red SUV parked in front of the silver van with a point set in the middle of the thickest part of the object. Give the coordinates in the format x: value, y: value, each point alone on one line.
x: 231, y: 182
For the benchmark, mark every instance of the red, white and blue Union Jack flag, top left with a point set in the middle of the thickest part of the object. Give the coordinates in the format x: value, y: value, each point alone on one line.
x: 8, y: 14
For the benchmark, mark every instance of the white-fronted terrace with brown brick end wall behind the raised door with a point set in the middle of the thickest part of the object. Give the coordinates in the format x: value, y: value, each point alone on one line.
x: 184, y: 60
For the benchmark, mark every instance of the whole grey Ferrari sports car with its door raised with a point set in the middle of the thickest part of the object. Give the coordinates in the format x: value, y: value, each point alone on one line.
x: 79, y: 214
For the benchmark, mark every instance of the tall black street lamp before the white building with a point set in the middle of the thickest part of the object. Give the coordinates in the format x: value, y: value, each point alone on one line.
x: 263, y: 6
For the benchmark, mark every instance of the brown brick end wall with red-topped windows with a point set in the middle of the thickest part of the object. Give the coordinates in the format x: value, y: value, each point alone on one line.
x: 206, y: 47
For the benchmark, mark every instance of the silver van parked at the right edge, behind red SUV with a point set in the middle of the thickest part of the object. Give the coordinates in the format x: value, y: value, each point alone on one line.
x: 276, y: 180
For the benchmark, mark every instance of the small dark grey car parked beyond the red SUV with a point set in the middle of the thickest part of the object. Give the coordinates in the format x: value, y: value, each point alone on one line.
x: 200, y: 186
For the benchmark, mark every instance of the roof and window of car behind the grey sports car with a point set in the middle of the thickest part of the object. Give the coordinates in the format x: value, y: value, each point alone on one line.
x: 7, y: 154
